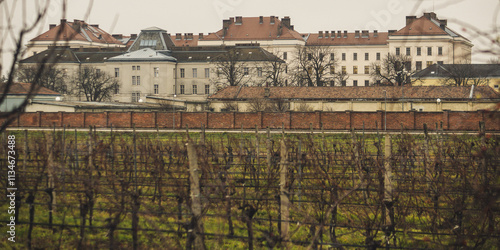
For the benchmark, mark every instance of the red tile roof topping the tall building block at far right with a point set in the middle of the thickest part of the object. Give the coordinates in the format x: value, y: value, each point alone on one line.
x: 421, y: 26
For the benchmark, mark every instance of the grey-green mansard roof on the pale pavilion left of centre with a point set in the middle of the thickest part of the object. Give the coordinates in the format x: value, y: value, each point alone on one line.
x: 154, y: 38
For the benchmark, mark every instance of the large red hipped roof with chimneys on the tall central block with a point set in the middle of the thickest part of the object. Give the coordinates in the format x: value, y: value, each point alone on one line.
x: 255, y: 28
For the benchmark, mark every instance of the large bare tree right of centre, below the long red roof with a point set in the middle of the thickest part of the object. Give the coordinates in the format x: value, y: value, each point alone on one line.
x: 312, y: 65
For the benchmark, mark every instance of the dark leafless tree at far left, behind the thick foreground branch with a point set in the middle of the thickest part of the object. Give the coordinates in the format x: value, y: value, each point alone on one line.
x: 51, y: 78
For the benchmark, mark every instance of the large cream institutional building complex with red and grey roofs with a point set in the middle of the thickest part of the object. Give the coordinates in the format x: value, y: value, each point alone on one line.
x: 156, y: 64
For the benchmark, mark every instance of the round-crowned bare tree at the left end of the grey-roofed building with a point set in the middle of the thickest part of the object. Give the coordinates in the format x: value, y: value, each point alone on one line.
x: 95, y: 85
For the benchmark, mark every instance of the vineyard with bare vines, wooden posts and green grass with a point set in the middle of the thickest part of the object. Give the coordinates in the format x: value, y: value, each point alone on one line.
x: 261, y: 190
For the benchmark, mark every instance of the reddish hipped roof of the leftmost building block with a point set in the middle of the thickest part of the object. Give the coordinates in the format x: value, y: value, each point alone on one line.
x: 77, y: 31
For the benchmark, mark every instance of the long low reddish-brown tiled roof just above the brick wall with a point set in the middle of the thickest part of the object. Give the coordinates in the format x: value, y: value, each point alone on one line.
x: 347, y: 93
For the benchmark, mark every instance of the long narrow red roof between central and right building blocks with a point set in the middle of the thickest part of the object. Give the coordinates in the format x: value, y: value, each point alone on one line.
x: 351, y: 39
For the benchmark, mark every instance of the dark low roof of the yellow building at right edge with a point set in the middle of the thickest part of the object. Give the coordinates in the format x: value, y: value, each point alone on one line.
x: 473, y: 70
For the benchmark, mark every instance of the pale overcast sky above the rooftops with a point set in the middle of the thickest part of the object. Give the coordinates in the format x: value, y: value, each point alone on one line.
x: 195, y: 16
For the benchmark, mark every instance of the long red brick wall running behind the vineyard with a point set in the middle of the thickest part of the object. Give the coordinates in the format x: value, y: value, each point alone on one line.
x: 450, y: 120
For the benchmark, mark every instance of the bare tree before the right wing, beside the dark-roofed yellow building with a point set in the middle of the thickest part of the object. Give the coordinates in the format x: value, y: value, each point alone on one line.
x: 393, y: 70
